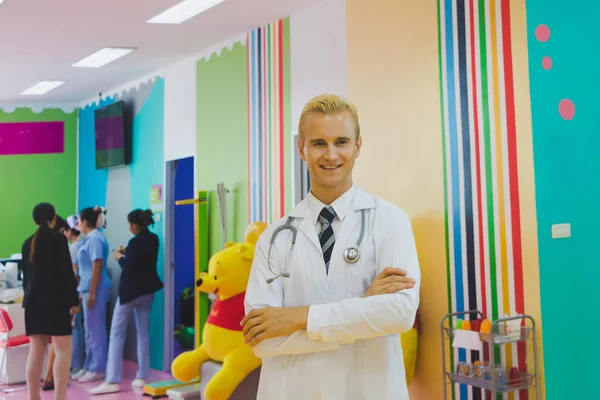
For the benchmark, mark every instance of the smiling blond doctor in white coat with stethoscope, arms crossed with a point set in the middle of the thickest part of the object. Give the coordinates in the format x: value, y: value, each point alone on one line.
x: 326, y: 313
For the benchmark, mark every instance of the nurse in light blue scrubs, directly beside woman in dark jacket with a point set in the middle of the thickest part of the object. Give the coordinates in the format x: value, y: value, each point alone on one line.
x: 95, y: 287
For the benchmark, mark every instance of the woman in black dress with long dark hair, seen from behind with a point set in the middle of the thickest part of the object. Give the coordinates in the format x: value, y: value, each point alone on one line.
x: 50, y: 294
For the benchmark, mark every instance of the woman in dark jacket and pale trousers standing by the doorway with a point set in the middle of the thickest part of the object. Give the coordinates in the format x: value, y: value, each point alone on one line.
x: 139, y: 282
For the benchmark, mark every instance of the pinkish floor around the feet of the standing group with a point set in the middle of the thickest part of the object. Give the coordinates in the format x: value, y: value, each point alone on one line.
x: 78, y: 391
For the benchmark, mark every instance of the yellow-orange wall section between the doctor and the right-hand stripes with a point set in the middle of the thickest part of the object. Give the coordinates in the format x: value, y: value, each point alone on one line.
x: 393, y: 79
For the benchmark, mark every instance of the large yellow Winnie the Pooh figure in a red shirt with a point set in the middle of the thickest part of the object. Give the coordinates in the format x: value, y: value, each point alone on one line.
x: 222, y: 337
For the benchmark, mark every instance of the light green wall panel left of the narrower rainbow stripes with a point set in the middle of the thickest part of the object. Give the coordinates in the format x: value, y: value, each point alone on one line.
x: 222, y: 139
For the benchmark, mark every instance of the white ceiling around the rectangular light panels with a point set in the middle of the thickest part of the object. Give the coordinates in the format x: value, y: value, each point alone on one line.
x: 43, y: 38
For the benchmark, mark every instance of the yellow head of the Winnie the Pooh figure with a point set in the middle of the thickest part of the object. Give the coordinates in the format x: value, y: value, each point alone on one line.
x: 228, y: 270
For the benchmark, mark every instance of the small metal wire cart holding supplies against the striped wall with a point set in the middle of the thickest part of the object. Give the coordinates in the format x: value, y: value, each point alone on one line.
x: 488, y: 375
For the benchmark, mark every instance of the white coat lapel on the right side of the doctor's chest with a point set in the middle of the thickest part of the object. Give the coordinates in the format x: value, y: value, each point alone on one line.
x: 350, y: 224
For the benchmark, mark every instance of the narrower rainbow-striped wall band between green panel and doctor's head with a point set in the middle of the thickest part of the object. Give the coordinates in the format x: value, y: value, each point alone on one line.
x: 266, y: 114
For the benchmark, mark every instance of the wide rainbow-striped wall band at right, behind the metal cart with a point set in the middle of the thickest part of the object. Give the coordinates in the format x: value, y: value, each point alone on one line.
x: 483, y: 233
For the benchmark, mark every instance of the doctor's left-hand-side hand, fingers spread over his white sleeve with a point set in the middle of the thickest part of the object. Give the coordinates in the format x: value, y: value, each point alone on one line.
x: 271, y: 322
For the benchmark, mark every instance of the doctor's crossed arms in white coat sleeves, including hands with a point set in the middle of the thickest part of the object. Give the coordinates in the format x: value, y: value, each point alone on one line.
x: 389, y: 306
